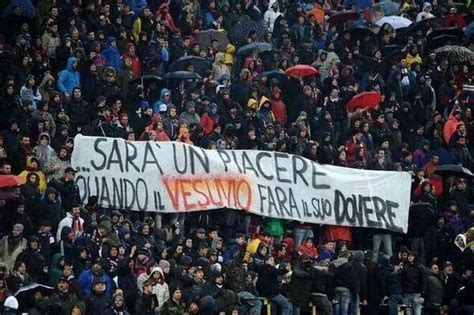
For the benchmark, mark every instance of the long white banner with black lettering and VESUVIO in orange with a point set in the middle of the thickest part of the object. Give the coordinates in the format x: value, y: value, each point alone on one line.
x: 175, y: 177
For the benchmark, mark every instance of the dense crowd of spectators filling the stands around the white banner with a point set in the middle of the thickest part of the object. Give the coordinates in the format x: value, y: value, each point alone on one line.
x: 112, y: 68
